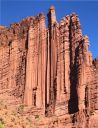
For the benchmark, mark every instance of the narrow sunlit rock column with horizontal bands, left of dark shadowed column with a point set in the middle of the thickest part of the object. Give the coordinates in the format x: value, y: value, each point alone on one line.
x: 67, y: 56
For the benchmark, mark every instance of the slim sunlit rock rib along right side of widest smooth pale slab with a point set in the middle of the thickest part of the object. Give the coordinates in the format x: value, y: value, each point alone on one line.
x: 38, y: 62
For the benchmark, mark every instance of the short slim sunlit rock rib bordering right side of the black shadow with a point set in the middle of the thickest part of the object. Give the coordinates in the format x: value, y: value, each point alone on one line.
x: 81, y: 81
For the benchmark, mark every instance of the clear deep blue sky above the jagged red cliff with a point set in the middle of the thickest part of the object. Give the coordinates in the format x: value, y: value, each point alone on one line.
x: 15, y: 10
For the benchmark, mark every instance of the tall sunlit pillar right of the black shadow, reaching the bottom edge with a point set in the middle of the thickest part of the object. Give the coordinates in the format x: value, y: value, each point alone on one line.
x: 83, y: 86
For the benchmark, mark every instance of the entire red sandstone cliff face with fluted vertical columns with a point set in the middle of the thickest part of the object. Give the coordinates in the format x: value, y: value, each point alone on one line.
x: 49, y: 68
